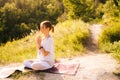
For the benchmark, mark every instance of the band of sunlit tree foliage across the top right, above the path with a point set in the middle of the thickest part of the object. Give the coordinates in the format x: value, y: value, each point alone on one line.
x: 89, y: 10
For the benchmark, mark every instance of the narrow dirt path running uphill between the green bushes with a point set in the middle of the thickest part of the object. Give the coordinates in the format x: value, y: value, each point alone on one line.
x: 92, y: 44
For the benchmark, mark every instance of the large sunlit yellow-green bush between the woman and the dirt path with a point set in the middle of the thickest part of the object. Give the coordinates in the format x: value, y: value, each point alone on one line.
x: 70, y: 37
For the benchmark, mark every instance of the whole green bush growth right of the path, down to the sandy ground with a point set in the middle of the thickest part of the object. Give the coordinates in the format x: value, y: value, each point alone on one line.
x: 109, y: 40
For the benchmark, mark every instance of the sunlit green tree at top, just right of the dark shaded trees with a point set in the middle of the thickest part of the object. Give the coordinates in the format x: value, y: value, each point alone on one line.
x: 84, y: 9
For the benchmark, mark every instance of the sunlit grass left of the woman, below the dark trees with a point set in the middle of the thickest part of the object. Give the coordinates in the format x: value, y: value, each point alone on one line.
x: 18, y: 50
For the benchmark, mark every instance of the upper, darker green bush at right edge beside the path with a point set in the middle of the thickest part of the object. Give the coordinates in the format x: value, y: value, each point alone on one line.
x: 111, y: 33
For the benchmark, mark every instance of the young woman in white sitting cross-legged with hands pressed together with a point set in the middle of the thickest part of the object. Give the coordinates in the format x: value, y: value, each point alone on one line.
x: 45, y: 46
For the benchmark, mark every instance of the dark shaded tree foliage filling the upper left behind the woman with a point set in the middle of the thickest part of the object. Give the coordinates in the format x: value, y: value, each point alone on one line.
x: 18, y: 17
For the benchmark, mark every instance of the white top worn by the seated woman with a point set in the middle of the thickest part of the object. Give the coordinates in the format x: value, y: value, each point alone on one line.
x: 48, y: 45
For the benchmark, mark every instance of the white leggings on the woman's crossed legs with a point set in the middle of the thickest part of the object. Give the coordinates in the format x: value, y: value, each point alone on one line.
x: 36, y: 64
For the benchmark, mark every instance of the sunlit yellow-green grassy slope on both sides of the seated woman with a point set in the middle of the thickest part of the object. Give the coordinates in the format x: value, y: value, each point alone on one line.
x: 69, y: 37
